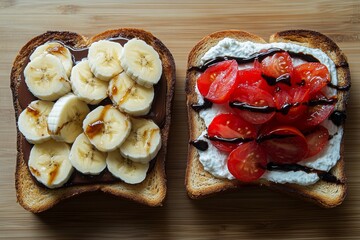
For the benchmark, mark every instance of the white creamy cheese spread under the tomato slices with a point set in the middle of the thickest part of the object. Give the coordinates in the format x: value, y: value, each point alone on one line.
x: 215, y: 161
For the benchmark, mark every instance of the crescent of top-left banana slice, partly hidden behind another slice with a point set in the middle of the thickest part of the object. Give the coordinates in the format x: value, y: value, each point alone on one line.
x: 59, y: 51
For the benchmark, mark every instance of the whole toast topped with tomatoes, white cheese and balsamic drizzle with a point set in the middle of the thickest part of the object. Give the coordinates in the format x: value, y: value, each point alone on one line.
x: 217, y: 171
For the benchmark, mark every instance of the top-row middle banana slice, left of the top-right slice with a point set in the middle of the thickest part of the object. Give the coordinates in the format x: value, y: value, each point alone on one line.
x: 104, y: 59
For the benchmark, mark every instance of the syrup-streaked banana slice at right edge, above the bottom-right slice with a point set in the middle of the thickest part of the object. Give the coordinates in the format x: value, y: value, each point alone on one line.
x: 144, y: 141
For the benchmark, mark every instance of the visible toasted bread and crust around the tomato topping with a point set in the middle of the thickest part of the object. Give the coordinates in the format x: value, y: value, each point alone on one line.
x: 199, y: 183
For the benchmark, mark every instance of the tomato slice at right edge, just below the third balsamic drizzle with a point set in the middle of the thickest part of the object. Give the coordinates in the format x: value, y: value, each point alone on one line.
x: 315, y: 115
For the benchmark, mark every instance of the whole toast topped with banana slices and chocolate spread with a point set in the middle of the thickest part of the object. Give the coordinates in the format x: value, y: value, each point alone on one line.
x: 150, y: 188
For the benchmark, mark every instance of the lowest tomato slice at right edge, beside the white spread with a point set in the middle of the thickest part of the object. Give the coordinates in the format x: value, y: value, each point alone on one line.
x: 317, y: 140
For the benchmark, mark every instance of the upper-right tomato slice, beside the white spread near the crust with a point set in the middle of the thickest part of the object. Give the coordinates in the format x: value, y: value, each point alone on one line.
x: 315, y: 75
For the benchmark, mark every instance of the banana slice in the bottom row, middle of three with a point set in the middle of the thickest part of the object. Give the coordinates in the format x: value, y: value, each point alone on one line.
x: 85, y: 157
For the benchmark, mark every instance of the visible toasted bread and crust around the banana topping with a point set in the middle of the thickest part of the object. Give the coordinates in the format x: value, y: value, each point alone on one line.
x: 152, y: 190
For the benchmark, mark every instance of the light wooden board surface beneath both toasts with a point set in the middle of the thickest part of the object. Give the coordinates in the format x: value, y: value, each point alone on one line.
x: 250, y: 213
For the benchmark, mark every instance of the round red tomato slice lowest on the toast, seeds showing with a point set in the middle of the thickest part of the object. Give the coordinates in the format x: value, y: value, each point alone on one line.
x: 247, y: 162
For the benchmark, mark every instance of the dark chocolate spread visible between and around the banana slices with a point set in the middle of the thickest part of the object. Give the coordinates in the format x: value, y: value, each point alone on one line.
x: 157, y: 114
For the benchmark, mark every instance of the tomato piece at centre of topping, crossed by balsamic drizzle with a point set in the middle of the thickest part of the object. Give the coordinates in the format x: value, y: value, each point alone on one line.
x: 291, y: 99
